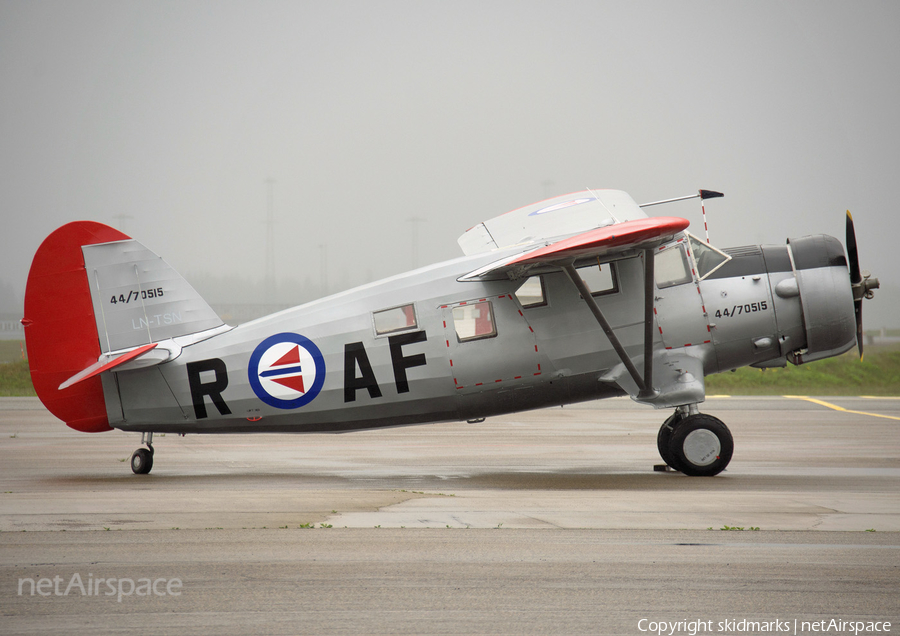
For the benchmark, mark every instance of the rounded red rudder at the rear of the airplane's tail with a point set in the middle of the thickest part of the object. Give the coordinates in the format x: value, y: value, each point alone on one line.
x: 60, y: 327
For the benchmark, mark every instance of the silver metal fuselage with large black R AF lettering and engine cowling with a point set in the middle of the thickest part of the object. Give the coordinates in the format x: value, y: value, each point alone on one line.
x: 765, y: 305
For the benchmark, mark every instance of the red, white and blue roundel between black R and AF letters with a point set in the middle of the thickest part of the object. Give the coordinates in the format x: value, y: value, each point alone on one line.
x: 286, y: 371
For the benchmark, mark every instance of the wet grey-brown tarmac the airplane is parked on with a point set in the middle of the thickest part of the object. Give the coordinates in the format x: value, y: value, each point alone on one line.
x: 551, y: 521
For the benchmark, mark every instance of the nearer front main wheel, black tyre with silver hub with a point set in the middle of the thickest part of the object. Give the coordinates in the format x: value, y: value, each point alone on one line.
x: 701, y: 446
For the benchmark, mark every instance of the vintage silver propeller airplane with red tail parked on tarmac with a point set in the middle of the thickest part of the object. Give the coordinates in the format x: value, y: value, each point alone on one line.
x: 576, y: 298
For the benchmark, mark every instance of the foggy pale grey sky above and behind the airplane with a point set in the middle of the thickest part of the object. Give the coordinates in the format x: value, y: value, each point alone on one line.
x: 369, y: 113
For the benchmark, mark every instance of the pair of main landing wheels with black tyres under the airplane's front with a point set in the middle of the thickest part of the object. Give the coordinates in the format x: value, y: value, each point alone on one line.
x: 694, y: 443
